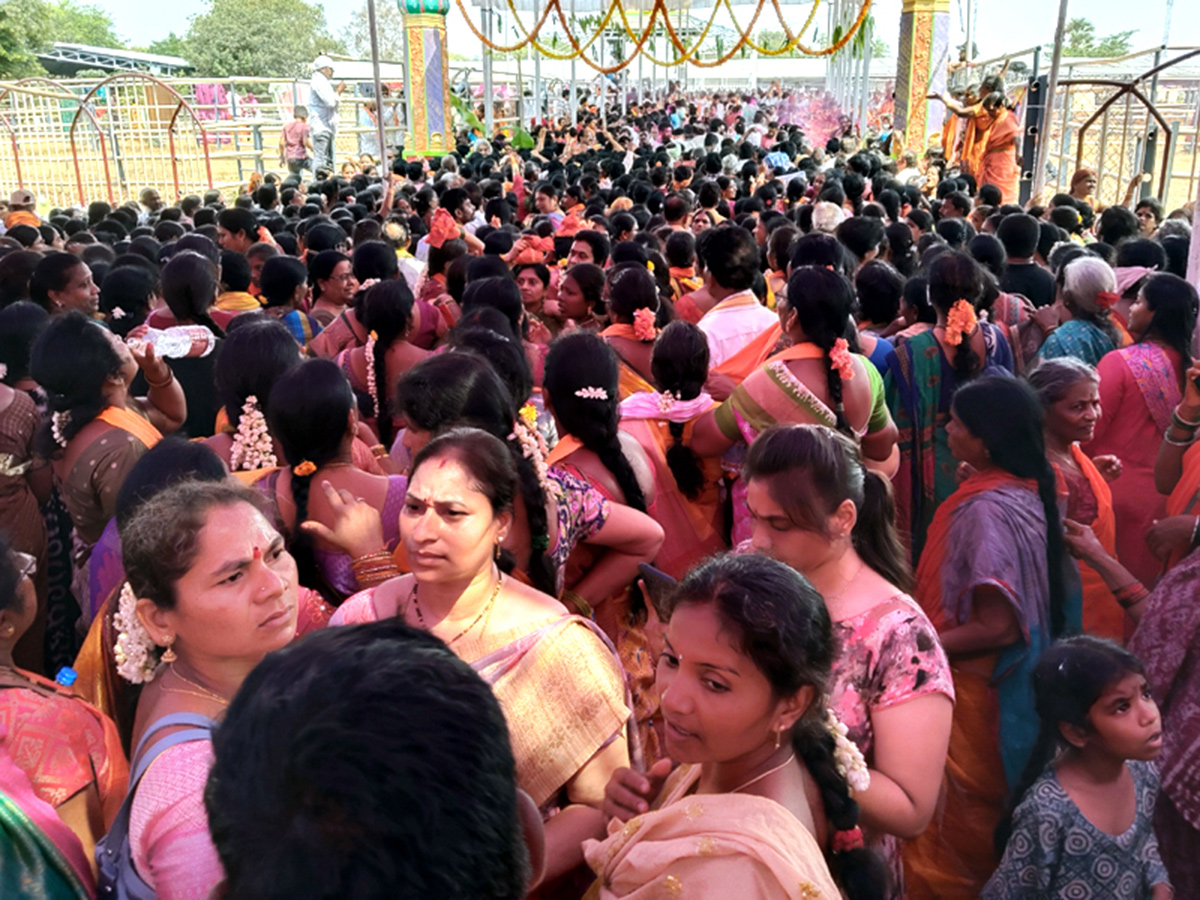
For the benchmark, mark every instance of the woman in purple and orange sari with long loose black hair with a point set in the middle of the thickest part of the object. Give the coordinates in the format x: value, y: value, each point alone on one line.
x: 992, y: 580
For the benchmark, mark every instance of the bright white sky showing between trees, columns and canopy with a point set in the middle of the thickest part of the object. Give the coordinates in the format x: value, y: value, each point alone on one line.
x: 1004, y: 26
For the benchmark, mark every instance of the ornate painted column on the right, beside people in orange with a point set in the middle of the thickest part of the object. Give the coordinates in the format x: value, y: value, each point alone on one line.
x: 921, y: 70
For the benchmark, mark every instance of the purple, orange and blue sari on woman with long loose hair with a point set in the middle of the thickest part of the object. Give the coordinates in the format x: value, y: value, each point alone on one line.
x: 999, y: 542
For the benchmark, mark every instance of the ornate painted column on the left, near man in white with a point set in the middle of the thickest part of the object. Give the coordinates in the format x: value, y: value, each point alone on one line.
x: 428, y: 77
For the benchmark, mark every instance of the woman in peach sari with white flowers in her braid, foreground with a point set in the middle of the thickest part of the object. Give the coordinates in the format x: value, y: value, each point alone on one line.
x: 758, y: 809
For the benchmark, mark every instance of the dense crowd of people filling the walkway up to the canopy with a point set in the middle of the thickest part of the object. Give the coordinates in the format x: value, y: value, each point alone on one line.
x: 697, y: 505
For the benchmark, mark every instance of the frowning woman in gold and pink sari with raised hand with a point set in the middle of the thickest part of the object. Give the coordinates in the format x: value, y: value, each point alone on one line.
x: 556, y: 676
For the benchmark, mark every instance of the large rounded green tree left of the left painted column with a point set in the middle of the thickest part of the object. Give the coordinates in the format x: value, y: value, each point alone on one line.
x: 267, y: 39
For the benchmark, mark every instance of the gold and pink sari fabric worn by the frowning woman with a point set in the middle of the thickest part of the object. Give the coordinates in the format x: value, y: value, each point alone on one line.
x: 559, y: 682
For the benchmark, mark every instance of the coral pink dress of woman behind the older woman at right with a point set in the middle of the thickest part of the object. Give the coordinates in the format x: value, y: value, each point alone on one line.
x: 1139, y: 388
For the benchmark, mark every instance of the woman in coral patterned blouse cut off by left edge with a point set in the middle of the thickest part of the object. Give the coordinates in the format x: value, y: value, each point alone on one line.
x: 63, y: 772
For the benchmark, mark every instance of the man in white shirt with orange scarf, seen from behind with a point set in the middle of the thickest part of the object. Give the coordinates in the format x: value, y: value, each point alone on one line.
x: 731, y: 261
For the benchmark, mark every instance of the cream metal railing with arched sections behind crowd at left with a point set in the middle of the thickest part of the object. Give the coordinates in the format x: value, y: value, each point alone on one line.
x: 76, y: 141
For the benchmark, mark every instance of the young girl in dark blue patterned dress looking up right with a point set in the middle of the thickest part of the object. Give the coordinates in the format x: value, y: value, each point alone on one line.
x: 1083, y: 827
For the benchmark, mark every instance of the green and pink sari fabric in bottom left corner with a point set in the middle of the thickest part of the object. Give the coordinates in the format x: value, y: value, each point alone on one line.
x: 40, y: 857
